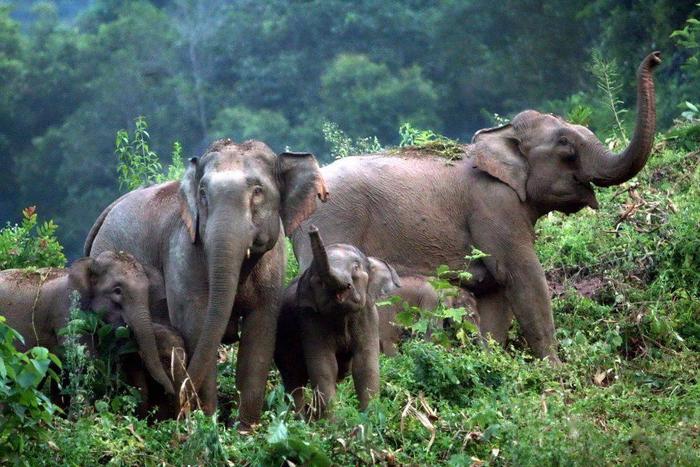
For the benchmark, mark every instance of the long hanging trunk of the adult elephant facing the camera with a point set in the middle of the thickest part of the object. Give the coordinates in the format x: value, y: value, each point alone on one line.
x: 225, y: 248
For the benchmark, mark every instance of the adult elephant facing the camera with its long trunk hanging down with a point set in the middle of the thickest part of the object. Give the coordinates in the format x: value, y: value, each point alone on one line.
x: 217, y: 236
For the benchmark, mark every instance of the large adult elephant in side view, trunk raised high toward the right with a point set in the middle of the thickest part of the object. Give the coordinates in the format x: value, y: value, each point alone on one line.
x: 417, y: 212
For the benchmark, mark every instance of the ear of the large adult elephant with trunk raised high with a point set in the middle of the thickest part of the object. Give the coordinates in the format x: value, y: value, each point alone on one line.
x: 497, y: 152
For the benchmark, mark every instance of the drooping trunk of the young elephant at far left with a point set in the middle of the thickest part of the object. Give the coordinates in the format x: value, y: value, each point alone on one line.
x: 139, y: 319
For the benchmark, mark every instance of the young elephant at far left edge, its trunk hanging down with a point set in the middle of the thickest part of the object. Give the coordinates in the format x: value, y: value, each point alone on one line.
x: 37, y: 304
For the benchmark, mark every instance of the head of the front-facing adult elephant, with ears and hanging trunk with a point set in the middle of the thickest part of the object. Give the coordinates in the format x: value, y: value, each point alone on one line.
x: 235, y: 200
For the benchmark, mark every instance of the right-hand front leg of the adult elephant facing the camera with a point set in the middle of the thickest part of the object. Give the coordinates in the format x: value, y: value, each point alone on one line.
x: 255, y: 353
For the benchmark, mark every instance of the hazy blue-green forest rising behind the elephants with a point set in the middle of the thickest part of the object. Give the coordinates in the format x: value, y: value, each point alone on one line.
x: 74, y: 72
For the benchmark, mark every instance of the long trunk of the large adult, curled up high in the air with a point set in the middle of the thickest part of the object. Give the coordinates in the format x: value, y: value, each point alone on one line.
x: 605, y: 168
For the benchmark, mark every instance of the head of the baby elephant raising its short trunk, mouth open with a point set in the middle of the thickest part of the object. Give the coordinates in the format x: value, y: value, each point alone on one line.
x: 342, y: 279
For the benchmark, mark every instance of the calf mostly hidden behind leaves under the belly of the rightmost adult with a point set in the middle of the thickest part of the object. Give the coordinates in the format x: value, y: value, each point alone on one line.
x: 417, y: 292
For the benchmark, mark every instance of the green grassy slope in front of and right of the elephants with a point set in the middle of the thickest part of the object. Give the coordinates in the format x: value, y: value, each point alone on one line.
x: 629, y: 392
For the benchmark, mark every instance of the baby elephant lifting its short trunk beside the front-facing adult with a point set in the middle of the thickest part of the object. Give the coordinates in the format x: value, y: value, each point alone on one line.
x: 328, y: 324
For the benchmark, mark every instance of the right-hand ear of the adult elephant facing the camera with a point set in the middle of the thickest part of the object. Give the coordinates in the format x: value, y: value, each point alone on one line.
x: 300, y: 182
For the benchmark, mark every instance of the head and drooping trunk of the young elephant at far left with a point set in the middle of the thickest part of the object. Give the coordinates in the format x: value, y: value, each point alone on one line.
x: 123, y: 288
